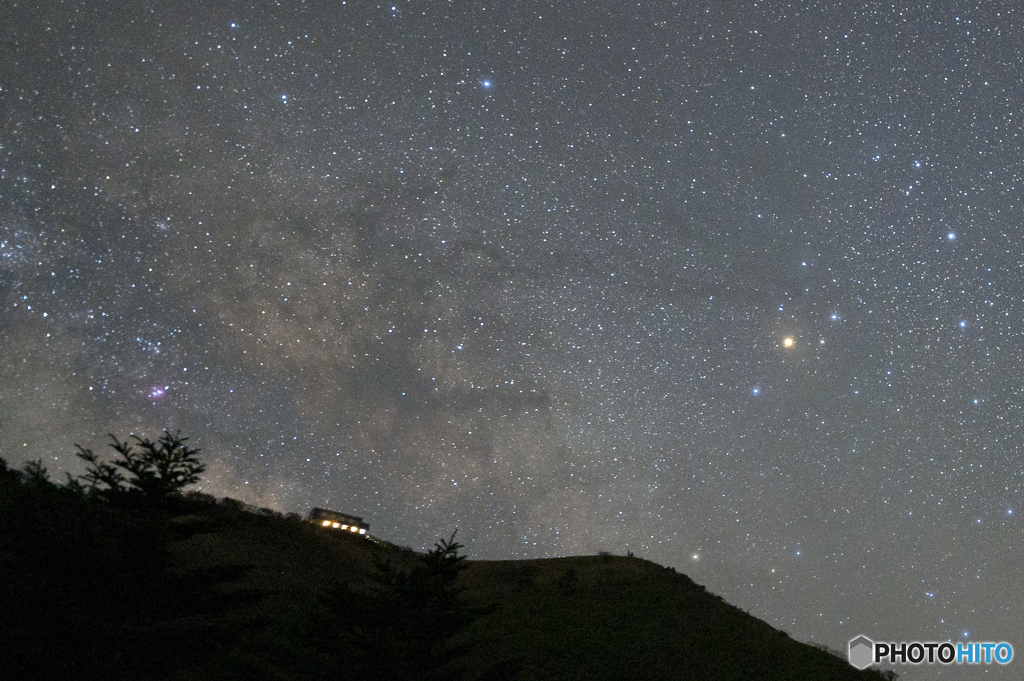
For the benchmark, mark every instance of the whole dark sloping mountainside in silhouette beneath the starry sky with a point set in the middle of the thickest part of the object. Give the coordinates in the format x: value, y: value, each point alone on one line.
x: 101, y: 586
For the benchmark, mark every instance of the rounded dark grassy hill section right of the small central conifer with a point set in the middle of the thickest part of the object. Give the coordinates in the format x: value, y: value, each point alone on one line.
x: 614, y: 618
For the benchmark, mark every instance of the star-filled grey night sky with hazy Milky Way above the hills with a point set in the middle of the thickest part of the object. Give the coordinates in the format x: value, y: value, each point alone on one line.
x: 738, y: 287
